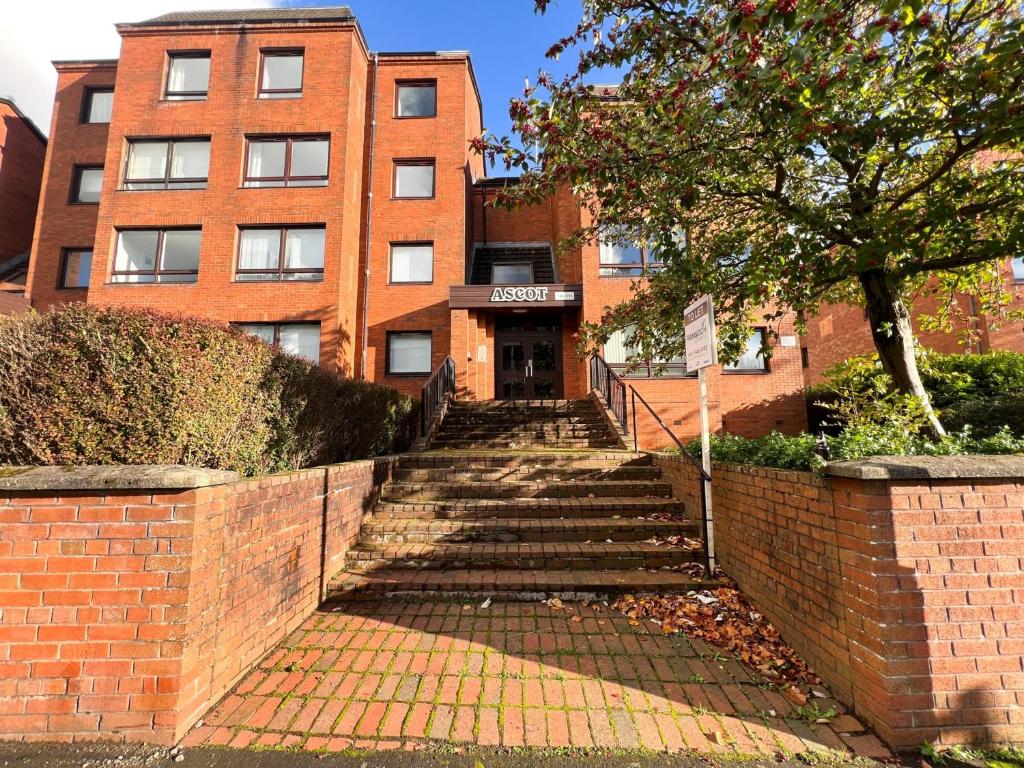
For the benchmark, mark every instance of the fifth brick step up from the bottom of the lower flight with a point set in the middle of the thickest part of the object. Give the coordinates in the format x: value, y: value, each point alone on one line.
x: 527, y: 490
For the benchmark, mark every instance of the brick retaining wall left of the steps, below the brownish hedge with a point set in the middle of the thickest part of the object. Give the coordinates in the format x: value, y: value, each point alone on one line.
x: 127, y: 614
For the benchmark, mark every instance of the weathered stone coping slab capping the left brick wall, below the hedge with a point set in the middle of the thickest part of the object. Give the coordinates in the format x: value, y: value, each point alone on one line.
x: 115, y: 478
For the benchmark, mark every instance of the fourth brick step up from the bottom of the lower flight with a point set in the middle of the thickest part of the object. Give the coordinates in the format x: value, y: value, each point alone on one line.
x: 482, y: 509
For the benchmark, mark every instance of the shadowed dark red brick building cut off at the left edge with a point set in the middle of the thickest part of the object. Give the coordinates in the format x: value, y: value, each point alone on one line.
x: 23, y: 150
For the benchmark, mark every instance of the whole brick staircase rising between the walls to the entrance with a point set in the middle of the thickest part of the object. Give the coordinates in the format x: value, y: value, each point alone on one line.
x: 520, y: 499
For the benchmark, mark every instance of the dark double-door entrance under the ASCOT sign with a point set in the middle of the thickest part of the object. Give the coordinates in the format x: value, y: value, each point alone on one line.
x: 529, y: 359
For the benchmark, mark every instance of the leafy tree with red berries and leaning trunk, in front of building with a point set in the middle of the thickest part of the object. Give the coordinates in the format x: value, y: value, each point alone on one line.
x: 812, y: 151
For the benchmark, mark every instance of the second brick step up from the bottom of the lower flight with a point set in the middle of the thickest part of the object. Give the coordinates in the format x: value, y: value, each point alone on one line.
x: 545, y: 557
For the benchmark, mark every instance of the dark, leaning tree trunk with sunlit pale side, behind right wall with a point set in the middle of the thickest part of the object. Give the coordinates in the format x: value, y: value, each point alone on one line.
x: 893, y: 336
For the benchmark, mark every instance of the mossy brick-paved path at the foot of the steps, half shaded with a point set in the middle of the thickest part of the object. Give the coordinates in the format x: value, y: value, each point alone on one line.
x: 416, y: 675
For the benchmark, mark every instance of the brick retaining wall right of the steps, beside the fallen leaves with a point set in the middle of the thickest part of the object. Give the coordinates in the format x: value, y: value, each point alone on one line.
x: 901, y: 581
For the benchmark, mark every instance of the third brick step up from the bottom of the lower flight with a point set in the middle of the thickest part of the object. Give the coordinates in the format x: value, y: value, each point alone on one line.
x: 517, y: 531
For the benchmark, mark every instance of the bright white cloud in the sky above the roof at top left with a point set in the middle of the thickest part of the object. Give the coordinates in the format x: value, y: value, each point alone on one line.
x: 36, y: 32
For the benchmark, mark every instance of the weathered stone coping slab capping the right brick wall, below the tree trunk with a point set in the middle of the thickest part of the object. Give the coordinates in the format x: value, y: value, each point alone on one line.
x: 929, y: 467
